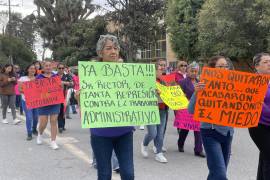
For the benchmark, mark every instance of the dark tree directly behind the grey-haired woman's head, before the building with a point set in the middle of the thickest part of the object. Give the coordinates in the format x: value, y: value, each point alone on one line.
x: 137, y: 22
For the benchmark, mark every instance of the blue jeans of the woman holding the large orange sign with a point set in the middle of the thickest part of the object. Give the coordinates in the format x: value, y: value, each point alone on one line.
x: 218, y: 149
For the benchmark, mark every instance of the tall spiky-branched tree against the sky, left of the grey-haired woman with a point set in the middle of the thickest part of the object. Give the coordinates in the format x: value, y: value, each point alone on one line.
x: 58, y: 18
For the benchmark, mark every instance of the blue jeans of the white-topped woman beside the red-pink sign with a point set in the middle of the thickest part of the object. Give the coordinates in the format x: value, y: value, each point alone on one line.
x: 31, y: 118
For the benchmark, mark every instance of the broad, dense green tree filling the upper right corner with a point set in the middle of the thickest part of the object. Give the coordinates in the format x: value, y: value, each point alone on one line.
x: 236, y: 28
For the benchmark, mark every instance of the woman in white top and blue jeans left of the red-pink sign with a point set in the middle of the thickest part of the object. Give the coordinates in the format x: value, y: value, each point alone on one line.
x: 31, y: 114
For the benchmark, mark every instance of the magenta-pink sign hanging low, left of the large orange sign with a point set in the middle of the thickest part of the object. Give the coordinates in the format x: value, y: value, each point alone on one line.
x: 184, y: 120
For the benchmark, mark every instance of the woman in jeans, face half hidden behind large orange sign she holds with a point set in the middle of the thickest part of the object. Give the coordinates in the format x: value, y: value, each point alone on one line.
x: 216, y: 139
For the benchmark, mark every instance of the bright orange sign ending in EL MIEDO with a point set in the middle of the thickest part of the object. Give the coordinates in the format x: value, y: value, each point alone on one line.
x: 231, y: 98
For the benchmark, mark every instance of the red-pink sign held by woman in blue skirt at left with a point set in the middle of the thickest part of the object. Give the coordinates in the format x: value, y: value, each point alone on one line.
x: 43, y: 92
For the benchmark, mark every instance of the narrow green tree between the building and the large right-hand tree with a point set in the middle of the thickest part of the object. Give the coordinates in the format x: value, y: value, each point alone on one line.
x: 182, y: 27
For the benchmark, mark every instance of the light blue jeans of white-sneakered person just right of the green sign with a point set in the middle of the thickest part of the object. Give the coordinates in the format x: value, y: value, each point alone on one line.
x: 156, y: 132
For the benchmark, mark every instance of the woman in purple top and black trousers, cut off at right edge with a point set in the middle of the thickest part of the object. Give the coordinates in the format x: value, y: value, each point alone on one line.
x: 261, y: 134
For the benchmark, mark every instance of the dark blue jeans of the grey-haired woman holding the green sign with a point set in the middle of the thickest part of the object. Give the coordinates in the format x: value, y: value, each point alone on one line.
x: 123, y: 147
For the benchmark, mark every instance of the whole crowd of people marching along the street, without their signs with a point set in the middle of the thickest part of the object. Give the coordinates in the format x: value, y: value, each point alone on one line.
x: 115, y: 145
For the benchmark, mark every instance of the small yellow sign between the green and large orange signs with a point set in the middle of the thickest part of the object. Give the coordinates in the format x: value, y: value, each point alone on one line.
x: 173, y: 96
